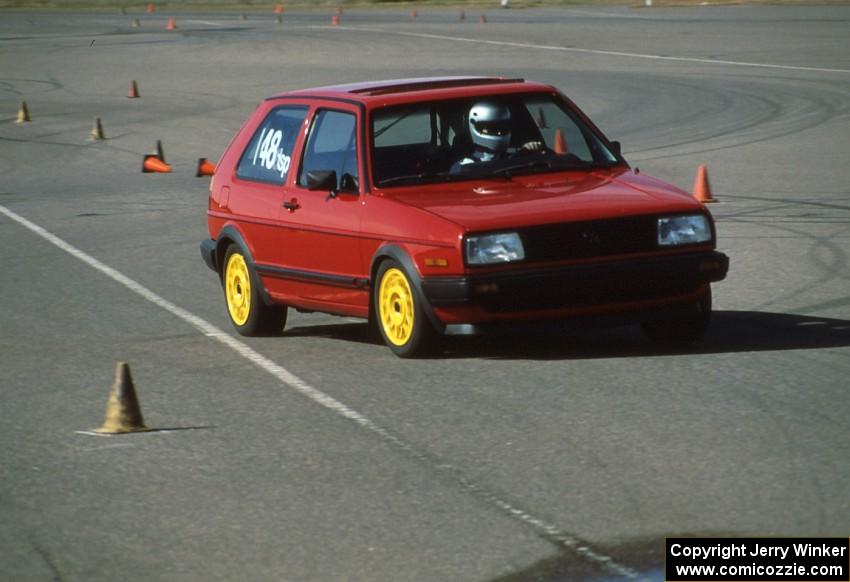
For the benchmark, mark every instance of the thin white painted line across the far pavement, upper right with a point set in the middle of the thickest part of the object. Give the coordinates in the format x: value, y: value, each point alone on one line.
x: 543, y: 47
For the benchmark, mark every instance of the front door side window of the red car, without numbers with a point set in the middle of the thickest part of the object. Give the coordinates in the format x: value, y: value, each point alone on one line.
x: 332, y: 145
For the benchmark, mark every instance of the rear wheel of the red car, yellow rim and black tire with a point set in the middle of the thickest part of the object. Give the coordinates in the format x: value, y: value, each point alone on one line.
x: 247, y: 310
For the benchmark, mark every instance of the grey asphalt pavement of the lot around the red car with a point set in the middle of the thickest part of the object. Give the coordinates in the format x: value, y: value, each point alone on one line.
x: 318, y: 455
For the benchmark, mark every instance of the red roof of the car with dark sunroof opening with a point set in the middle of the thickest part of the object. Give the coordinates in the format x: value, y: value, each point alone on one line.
x: 396, y: 91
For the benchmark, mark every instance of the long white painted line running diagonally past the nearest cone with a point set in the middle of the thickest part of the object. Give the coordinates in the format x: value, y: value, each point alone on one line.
x: 286, y: 377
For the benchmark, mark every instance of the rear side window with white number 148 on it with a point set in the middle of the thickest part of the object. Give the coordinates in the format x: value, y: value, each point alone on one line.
x: 268, y: 155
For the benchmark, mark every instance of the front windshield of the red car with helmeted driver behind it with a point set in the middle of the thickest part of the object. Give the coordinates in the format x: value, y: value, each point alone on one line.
x: 485, y: 137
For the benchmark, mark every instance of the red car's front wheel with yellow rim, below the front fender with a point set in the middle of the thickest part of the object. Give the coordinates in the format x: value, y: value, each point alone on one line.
x: 399, y: 314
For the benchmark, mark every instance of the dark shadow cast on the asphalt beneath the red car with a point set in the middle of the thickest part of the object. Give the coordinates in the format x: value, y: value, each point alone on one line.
x: 730, y: 332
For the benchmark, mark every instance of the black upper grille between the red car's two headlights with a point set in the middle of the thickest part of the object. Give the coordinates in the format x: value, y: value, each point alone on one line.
x: 595, y: 238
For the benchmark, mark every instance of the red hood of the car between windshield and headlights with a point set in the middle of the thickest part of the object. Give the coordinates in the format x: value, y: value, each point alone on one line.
x: 544, y: 199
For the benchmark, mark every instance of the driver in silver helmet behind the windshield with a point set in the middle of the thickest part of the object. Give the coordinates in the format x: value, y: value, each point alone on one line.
x: 490, y: 130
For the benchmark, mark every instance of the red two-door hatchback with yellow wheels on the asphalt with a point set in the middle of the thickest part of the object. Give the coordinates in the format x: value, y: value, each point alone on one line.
x: 447, y: 205
